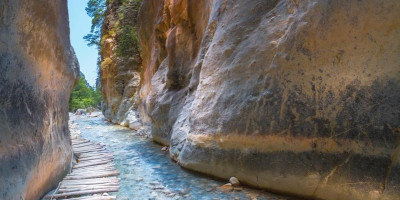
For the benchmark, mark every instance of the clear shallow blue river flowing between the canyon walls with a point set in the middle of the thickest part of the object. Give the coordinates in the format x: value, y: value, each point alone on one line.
x: 146, y: 172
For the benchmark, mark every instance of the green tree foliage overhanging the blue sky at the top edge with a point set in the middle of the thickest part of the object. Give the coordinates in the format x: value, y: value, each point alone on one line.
x: 96, y: 10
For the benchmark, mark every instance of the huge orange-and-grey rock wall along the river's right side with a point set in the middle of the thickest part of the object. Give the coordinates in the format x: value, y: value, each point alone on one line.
x: 299, y: 97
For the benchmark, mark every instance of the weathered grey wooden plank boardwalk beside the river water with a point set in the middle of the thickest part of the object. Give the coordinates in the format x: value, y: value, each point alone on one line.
x: 92, y: 176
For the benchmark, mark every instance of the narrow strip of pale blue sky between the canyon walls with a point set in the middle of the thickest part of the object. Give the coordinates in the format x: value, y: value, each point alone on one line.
x: 80, y: 23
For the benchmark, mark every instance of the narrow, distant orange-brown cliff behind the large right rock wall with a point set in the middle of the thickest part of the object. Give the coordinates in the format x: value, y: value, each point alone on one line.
x: 120, y: 73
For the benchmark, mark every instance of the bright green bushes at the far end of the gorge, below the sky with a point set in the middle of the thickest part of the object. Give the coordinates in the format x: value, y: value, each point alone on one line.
x: 84, y: 96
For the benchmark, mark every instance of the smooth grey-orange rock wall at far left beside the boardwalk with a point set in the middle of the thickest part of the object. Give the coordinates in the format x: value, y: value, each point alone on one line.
x: 37, y: 72
